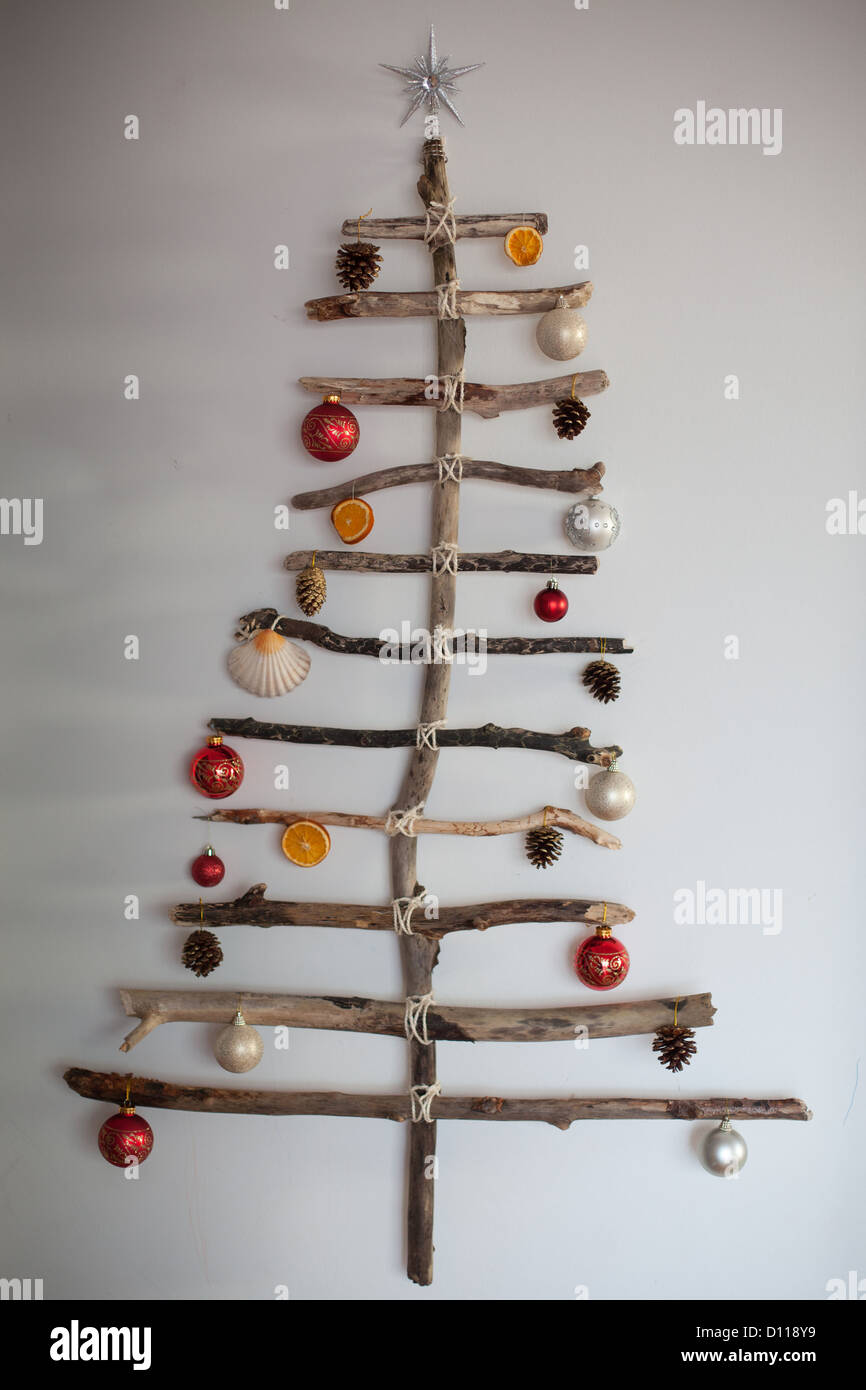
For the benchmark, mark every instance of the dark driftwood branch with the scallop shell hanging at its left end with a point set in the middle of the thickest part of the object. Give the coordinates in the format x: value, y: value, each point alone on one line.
x: 305, y: 632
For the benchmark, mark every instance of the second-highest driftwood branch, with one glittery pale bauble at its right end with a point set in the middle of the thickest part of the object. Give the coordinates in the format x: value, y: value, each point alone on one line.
x: 409, y: 305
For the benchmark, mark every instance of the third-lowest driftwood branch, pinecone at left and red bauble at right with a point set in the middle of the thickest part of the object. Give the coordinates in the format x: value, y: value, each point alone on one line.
x: 254, y: 910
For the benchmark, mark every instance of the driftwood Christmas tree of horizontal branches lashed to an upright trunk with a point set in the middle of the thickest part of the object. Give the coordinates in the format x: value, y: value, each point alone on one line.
x: 418, y: 1017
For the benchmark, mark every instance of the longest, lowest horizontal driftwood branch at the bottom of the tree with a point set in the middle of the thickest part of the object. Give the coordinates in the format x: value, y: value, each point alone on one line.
x: 558, y: 1111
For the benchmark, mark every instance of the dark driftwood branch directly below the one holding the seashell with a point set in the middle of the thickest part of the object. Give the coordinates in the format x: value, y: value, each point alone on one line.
x: 573, y: 743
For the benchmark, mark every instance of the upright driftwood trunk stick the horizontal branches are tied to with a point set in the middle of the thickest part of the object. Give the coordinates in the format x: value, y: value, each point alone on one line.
x: 420, y: 956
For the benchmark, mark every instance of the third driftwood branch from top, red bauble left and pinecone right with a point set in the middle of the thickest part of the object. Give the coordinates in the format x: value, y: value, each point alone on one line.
x: 479, y: 398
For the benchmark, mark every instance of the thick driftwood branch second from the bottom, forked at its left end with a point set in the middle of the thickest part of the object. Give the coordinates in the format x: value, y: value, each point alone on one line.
x: 448, y: 1024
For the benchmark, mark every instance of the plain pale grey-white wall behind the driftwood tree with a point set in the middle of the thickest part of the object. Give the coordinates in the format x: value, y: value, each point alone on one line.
x: 156, y: 258
